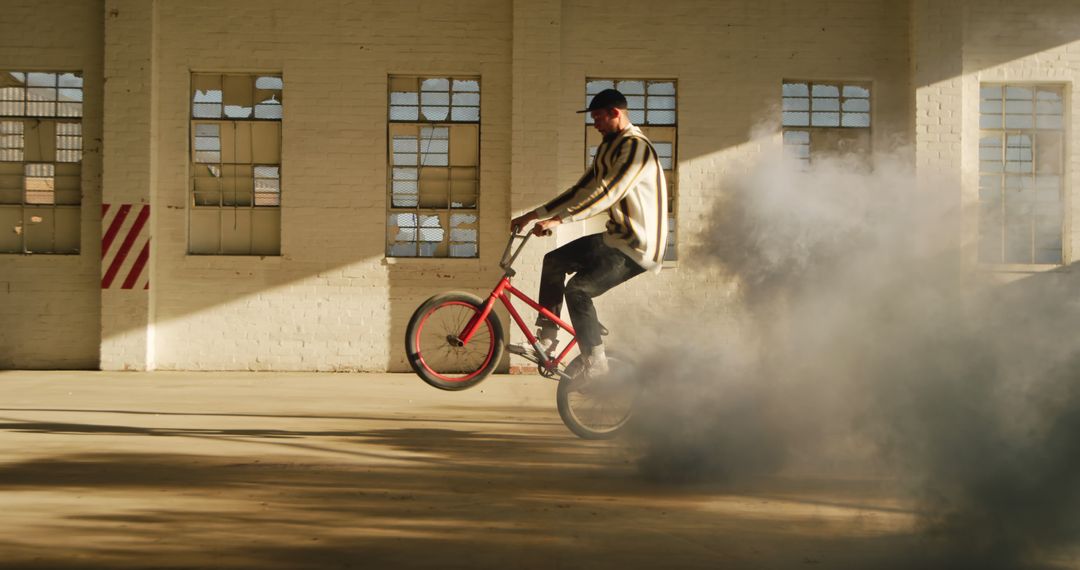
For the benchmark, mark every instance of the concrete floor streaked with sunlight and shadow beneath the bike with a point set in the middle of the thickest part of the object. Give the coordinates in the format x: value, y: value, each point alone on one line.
x: 177, y: 470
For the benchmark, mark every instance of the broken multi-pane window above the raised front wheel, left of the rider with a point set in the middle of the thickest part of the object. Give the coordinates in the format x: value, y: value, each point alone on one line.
x: 434, y: 148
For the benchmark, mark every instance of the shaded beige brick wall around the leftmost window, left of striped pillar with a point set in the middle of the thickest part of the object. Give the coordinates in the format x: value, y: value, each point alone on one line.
x: 50, y: 305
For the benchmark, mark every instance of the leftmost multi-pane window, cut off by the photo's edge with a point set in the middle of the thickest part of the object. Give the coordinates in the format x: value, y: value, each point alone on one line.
x: 40, y: 162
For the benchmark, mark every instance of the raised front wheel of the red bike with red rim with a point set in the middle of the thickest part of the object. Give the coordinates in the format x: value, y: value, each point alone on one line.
x: 437, y: 356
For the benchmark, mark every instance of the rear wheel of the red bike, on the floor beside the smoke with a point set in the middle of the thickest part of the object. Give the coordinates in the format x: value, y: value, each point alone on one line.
x: 600, y: 409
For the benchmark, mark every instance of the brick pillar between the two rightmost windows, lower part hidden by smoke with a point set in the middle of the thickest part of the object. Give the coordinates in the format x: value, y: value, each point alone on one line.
x: 938, y: 61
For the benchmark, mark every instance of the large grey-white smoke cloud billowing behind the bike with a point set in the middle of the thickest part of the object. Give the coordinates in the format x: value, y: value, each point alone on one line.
x: 863, y: 343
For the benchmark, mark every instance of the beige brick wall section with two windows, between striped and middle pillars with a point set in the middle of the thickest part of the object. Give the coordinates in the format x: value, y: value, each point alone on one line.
x: 331, y: 302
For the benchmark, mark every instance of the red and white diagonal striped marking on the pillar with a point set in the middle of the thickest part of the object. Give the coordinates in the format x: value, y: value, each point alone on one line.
x: 126, y: 247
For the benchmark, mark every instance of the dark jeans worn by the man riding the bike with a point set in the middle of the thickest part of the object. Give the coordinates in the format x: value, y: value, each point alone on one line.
x: 597, y: 268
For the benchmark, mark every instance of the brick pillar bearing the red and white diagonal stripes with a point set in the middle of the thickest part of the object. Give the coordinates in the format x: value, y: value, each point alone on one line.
x: 127, y: 186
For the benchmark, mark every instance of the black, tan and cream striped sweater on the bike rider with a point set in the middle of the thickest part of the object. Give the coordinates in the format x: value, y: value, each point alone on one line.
x: 628, y: 182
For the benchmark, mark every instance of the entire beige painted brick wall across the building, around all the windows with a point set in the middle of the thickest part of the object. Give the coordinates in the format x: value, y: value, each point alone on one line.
x: 332, y: 302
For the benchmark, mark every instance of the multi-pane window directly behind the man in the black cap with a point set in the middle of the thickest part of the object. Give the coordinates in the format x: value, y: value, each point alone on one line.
x: 653, y: 108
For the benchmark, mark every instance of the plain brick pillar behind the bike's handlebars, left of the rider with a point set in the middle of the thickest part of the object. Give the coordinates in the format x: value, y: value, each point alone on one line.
x: 536, y: 92
